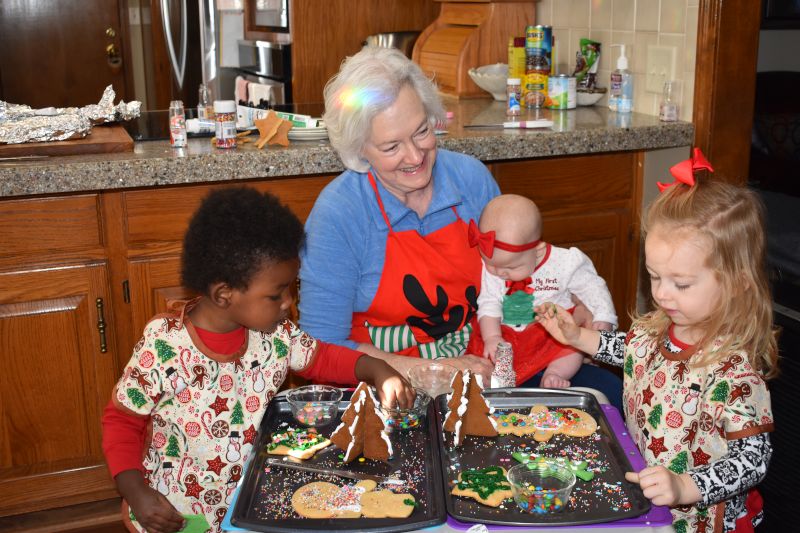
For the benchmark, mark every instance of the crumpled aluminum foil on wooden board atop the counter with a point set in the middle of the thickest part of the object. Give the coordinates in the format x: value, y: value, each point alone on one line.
x: 21, y: 123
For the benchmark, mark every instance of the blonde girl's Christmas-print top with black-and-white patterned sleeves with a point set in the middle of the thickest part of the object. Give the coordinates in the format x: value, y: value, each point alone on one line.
x: 710, y: 422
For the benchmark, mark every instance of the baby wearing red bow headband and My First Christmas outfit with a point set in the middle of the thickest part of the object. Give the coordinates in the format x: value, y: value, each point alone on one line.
x: 518, y: 269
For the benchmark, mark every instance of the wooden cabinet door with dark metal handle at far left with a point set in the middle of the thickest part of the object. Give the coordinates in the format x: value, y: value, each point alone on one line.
x: 58, y: 370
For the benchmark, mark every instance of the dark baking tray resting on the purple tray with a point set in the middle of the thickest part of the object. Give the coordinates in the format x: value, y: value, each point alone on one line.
x: 608, y: 497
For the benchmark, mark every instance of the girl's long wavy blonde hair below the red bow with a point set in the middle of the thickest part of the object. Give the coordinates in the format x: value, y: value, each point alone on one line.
x: 731, y: 219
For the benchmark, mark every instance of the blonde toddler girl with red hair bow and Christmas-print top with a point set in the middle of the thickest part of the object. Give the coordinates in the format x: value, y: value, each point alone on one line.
x: 694, y: 368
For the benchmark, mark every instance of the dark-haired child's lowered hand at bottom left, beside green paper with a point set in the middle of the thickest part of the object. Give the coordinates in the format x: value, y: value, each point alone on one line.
x: 151, y: 508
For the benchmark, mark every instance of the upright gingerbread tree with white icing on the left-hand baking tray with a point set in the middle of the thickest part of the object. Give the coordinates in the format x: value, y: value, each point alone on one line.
x: 362, y: 429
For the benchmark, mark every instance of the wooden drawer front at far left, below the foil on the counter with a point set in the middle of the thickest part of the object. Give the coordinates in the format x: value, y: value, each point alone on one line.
x: 35, y: 227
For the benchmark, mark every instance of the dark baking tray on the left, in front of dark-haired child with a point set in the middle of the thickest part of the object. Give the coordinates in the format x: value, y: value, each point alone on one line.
x: 264, y: 500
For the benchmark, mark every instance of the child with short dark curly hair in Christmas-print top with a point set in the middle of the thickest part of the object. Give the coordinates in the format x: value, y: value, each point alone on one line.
x: 192, y: 396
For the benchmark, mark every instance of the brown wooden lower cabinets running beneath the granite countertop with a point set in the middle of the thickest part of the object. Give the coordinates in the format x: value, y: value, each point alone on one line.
x: 62, y: 255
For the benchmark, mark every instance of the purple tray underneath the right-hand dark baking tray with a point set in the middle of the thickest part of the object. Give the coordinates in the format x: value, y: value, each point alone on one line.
x: 657, y: 516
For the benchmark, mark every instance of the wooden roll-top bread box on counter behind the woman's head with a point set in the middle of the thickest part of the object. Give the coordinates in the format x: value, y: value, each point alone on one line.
x: 467, y: 34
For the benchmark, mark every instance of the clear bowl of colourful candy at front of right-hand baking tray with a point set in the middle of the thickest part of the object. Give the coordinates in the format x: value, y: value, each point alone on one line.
x: 541, y: 487
